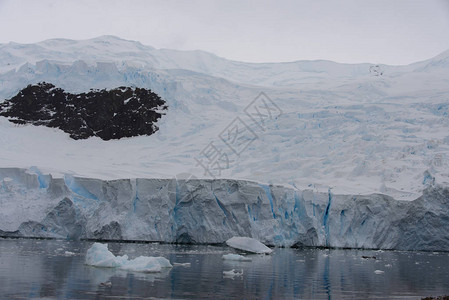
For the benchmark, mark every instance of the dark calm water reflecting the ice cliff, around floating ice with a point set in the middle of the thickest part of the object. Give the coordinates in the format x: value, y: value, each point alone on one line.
x: 55, y: 269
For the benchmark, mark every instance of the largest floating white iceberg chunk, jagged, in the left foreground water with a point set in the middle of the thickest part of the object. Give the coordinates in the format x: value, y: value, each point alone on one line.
x: 99, y: 256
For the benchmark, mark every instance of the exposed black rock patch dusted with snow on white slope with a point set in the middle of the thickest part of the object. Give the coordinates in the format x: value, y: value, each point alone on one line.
x: 108, y: 114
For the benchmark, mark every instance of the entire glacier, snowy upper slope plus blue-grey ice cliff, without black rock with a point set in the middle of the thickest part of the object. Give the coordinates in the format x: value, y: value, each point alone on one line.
x: 357, y: 158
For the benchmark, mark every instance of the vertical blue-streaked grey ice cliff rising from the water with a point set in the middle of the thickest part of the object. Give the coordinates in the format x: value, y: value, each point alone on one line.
x: 212, y: 211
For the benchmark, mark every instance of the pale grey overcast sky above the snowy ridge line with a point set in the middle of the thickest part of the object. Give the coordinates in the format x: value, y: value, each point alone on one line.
x: 377, y: 31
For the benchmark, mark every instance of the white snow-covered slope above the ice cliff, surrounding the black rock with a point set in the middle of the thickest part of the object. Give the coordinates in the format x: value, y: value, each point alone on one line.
x: 338, y: 126
